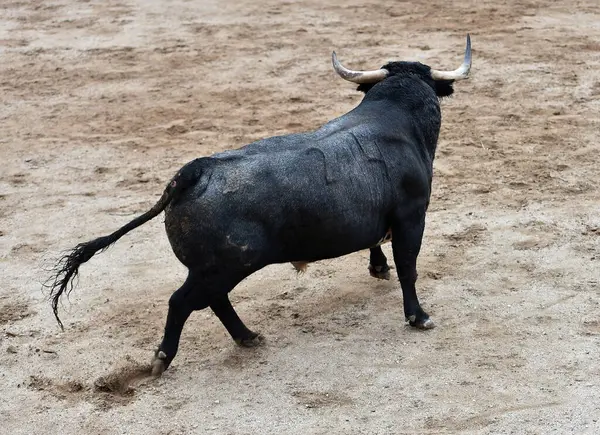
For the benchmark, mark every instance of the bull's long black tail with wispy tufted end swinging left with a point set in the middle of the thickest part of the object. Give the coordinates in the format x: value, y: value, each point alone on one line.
x: 67, y: 267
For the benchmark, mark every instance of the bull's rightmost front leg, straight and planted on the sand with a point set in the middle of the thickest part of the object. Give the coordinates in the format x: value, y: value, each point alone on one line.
x: 407, y: 234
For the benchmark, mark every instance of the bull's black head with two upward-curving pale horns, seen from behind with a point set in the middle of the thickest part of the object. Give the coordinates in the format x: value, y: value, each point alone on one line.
x: 366, y: 79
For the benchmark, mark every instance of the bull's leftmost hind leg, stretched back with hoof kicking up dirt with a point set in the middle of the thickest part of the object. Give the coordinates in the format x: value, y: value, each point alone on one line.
x: 188, y: 298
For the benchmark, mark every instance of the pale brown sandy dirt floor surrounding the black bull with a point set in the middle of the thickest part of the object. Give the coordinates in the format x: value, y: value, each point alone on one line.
x: 102, y: 101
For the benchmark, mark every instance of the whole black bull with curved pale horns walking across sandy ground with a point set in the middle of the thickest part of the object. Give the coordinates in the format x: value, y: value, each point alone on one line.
x: 299, y: 198
